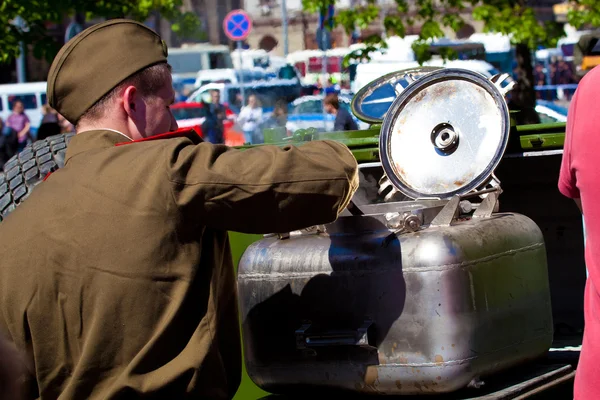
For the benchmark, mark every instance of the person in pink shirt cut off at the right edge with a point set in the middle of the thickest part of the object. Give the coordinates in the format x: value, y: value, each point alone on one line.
x: 580, y: 180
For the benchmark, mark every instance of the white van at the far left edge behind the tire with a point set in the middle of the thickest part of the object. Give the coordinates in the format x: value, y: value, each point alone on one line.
x: 33, y: 96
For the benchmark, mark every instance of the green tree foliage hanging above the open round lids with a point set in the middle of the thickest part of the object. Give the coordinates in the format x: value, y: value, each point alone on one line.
x: 511, y: 17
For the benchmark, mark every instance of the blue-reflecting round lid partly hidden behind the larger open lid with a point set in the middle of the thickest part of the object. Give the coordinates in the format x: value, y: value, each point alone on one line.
x: 372, y: 101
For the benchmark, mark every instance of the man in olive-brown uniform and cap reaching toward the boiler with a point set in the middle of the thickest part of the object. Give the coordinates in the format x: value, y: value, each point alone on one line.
x: 116, y: 280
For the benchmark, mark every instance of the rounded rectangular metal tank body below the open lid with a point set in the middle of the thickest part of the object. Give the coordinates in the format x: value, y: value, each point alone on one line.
x: 362, y: 308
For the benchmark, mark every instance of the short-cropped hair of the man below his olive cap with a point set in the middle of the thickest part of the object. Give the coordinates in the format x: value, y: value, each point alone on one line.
x: 148, y: 82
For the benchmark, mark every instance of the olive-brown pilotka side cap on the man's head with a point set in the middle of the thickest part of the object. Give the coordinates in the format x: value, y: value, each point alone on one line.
x: 95, y: 61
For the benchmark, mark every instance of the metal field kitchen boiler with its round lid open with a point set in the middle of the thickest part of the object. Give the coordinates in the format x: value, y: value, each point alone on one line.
x: 419, y: 296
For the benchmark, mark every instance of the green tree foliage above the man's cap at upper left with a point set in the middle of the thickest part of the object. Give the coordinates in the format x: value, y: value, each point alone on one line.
x: 38, y: 13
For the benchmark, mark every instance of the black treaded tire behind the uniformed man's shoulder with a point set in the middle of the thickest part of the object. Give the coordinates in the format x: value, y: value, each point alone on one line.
x: 24, y: 171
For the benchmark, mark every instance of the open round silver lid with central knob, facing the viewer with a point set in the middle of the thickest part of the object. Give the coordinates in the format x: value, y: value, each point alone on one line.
x: 445, y: 134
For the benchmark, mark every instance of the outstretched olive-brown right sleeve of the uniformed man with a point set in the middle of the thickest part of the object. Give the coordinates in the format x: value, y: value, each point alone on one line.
x: 264, y: 189
